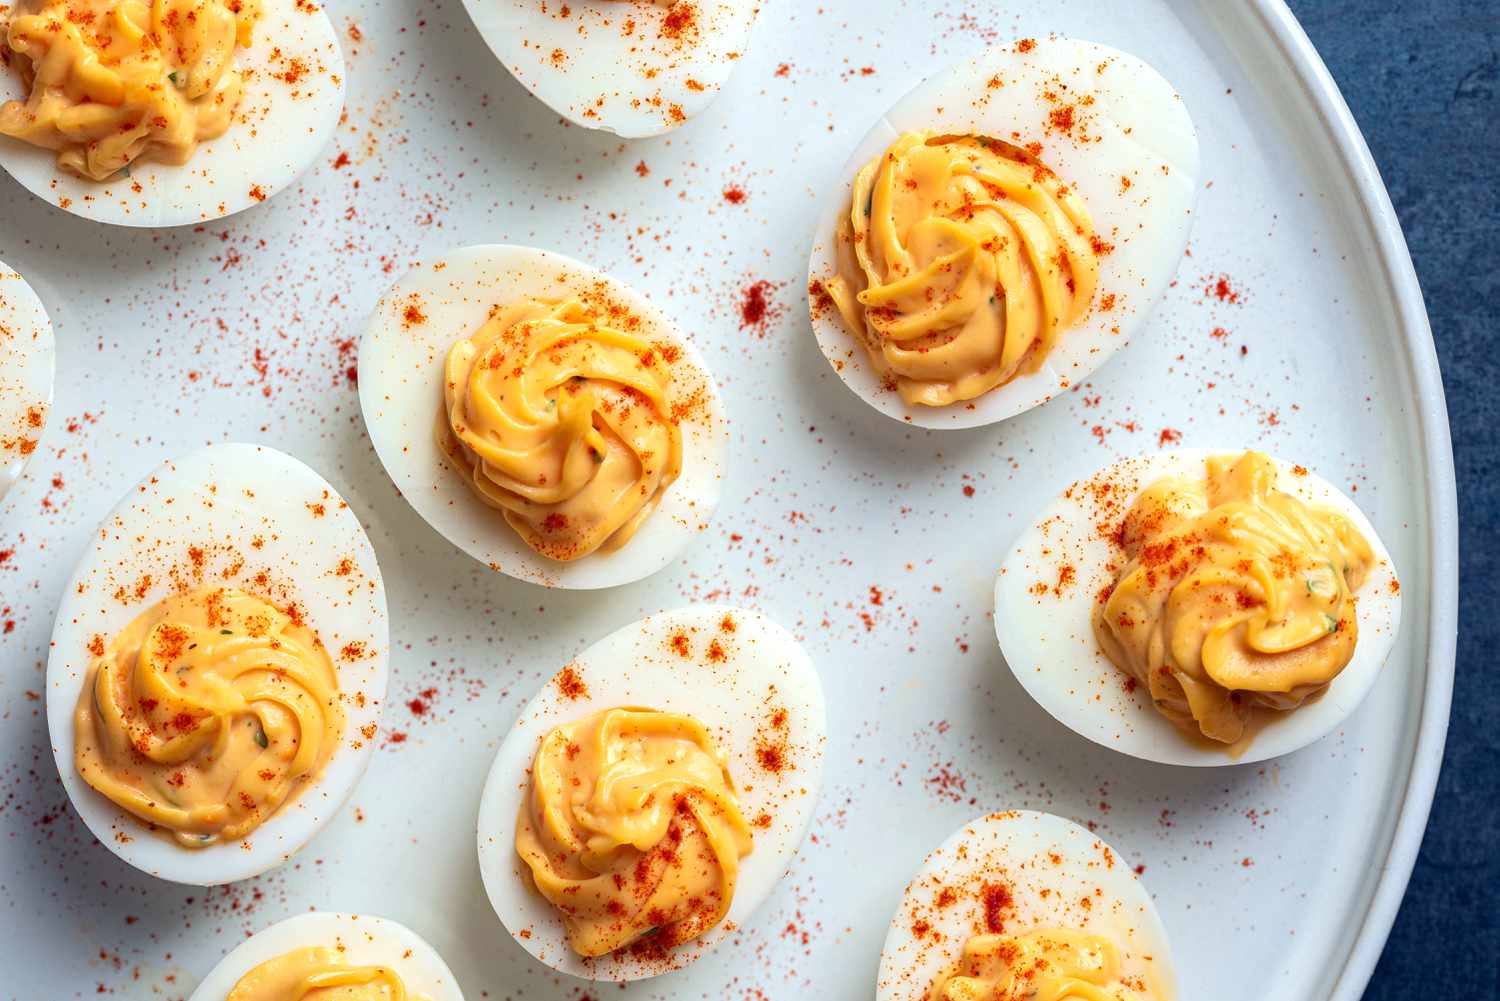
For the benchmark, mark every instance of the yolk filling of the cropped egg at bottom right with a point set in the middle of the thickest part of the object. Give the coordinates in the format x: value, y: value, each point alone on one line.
x: 1042, y: 966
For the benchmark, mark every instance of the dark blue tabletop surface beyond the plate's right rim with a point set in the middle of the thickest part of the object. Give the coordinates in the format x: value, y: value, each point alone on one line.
x: 1424, y: 80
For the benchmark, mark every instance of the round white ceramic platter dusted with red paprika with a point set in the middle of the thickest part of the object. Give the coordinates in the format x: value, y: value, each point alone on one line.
x: 875, y: 544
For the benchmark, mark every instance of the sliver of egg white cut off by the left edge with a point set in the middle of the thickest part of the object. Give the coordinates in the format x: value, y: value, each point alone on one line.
x: 28, y: 364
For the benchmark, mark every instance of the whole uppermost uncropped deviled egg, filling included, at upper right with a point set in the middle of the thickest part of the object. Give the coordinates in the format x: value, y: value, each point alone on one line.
x: 1003, y: 232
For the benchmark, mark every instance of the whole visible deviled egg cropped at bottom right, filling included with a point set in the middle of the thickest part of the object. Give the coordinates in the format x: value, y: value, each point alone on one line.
x: 1025, y: 906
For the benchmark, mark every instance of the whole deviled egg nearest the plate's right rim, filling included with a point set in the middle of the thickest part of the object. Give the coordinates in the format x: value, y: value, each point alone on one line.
x: 1199, y: 607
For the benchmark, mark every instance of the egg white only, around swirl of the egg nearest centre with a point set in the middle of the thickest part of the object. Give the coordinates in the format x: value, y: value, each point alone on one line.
x: 401, y: 394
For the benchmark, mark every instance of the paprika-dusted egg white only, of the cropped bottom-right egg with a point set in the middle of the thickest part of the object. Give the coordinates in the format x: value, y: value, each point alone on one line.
x: 1055, y: 874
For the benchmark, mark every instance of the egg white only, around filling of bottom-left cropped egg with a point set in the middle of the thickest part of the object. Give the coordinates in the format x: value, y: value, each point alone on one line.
x: 365, y: 942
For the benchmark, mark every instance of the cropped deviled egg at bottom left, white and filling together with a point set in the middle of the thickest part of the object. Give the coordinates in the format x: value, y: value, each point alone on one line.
x: 325, y: 957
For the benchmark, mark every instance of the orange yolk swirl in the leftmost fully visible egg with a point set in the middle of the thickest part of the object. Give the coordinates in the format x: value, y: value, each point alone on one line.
x: 208, y: 714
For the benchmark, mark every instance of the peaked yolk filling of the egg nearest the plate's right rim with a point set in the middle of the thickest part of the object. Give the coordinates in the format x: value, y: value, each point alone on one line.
x: 1235, y: 597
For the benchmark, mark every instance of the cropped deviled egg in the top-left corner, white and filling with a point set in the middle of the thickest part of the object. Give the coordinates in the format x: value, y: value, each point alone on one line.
x: 290, y: 95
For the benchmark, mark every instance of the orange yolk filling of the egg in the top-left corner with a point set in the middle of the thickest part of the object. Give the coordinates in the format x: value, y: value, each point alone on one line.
x: 116, y: 82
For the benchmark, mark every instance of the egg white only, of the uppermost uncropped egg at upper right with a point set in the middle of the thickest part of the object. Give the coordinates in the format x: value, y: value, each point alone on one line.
x: 1124, y: 124
